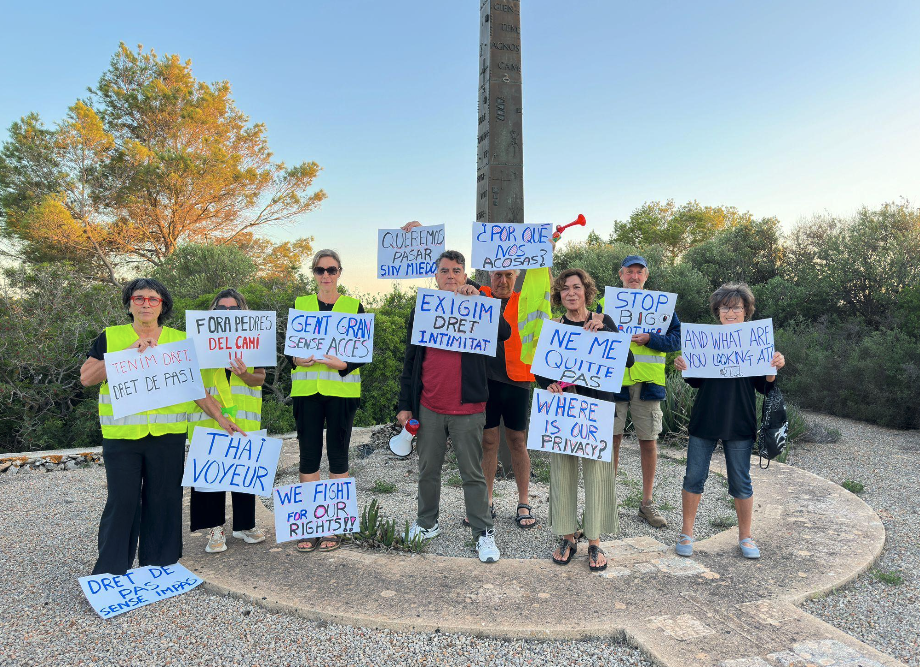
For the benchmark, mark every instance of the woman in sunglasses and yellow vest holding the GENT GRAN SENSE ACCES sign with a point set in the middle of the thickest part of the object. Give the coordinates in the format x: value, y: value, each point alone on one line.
x: 326, y: 391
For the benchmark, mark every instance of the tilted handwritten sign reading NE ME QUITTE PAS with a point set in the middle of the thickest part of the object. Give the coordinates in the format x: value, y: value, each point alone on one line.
x: 593, y: 359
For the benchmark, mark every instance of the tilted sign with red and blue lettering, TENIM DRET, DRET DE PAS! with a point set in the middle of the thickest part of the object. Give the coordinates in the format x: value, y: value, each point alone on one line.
x: 163, y: 375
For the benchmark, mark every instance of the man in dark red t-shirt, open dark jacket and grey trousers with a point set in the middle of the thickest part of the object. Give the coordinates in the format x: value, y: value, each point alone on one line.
x: 447, y: 392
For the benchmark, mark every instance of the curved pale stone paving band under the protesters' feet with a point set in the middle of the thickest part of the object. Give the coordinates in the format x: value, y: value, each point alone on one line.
x: 715, y: 608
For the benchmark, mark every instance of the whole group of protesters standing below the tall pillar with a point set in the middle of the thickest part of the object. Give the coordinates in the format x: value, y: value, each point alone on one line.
x: 461, y: 396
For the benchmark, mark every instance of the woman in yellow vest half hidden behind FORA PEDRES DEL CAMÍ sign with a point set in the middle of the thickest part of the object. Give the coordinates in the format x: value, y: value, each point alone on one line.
x: 238, y: 390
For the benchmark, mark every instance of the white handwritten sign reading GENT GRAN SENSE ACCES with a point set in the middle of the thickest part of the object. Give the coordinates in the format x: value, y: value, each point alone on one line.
x: 349, y: 337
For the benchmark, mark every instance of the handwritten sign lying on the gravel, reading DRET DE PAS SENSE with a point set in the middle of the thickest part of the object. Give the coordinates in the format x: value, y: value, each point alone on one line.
x: 111, y: 595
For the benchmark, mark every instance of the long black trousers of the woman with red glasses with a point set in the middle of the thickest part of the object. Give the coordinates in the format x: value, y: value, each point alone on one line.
x: 144, y: 505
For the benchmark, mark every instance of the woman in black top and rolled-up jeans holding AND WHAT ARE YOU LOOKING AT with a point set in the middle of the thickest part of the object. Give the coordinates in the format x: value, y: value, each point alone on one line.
x: 724, y: 409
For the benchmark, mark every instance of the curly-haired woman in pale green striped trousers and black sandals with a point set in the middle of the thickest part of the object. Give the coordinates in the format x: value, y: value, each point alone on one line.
x: 573, y: 289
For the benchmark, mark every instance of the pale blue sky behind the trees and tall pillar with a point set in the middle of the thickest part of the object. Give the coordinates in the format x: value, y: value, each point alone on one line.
x: 780, y: 108
